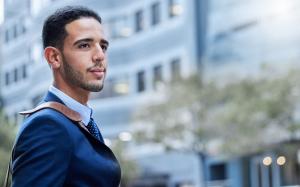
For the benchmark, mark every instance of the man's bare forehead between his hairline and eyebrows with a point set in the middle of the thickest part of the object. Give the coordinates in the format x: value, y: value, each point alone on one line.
x: 84, y: 27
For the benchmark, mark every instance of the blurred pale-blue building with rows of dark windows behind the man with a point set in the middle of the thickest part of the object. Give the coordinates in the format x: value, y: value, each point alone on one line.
x: 151, y: 43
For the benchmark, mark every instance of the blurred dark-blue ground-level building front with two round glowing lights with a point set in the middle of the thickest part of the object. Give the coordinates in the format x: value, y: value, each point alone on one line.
x: 276, y: 166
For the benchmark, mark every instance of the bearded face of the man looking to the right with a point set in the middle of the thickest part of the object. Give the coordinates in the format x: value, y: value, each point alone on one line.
x: 84, y: 55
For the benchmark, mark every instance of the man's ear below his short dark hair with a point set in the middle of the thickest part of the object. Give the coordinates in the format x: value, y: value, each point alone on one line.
x: 53, y: 57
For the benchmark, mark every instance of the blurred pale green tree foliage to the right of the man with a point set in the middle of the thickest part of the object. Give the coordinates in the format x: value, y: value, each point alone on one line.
x: 234, y: 118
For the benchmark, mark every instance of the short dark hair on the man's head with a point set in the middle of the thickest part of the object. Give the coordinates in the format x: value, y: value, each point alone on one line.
x: 54, y: 31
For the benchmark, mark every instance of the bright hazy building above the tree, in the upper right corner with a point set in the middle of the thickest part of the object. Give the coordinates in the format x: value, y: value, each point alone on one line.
x: 245, y: 36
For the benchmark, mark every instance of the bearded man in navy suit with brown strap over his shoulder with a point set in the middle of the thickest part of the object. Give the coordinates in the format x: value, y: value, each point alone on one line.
x: 52, y: 148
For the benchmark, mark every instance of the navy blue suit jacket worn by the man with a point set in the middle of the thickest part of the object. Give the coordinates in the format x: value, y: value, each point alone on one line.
x: 51, y: 150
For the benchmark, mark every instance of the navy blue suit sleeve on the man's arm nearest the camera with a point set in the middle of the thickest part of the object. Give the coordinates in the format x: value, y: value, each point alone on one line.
x: 42, y: 153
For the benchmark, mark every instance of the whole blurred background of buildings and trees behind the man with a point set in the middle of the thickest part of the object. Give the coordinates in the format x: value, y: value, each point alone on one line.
x: 199, y: 93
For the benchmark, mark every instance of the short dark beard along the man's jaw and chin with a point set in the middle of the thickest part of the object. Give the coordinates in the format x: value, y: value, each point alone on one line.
x: 77, y: 78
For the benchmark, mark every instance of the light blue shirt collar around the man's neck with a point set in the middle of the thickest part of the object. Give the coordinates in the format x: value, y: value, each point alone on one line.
x: 84, y: 111
